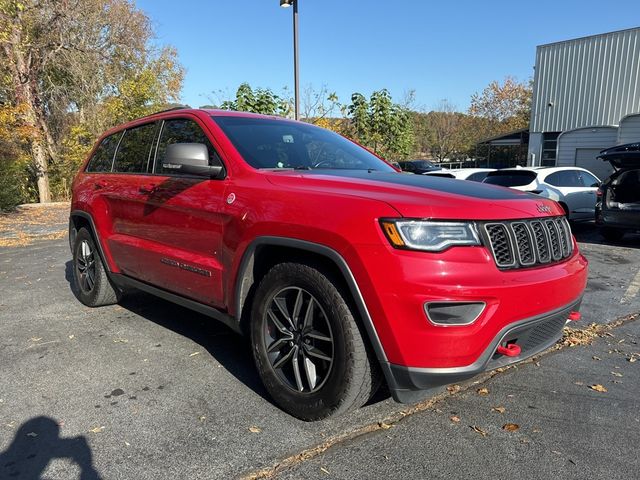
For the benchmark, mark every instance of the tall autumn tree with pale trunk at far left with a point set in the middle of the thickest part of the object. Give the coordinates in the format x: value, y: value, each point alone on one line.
x: 71, y: 62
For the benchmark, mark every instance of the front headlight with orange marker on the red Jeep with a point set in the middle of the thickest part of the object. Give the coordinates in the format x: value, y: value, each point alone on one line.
x: 432, y: 236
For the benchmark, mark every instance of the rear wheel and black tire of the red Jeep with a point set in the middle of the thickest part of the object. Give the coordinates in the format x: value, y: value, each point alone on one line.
x: 91, y: 285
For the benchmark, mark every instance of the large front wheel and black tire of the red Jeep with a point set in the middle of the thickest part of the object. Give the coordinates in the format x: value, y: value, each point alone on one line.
x: 322, y: 387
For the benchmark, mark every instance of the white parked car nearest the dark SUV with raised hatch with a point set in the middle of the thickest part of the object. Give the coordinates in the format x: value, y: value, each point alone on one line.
x: 574, y: 188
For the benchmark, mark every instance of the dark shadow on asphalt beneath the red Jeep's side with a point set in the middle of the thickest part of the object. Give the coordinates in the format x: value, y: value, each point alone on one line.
x: 230, y: 349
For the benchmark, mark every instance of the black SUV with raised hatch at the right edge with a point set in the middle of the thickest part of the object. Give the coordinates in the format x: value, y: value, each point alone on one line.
x: 618, y: 206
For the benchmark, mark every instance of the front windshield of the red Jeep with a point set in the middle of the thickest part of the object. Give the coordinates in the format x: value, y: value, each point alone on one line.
x: 273, y: 144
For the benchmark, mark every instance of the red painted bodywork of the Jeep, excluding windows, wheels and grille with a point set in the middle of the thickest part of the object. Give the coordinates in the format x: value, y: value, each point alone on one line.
x: 189, y: 221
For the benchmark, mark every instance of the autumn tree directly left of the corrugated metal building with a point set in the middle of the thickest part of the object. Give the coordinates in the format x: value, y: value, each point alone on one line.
x: 505, y: 106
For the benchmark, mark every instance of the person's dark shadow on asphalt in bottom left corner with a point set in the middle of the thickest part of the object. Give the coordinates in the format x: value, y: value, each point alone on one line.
x: 36, y: 443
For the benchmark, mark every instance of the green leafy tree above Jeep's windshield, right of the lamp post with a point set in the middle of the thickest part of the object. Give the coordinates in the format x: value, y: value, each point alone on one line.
x: 381, y: 125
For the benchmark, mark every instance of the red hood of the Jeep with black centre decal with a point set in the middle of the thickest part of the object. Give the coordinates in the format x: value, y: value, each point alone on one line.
x: 422, y: 196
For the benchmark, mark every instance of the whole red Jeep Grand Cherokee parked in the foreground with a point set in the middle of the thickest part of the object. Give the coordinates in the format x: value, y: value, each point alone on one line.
x: 342, y: 270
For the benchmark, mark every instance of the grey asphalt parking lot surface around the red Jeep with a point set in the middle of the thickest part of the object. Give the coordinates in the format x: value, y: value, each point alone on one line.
x: 149, y: 390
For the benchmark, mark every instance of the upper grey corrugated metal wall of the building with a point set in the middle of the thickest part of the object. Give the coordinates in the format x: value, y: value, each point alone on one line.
x: 590, y: 81
